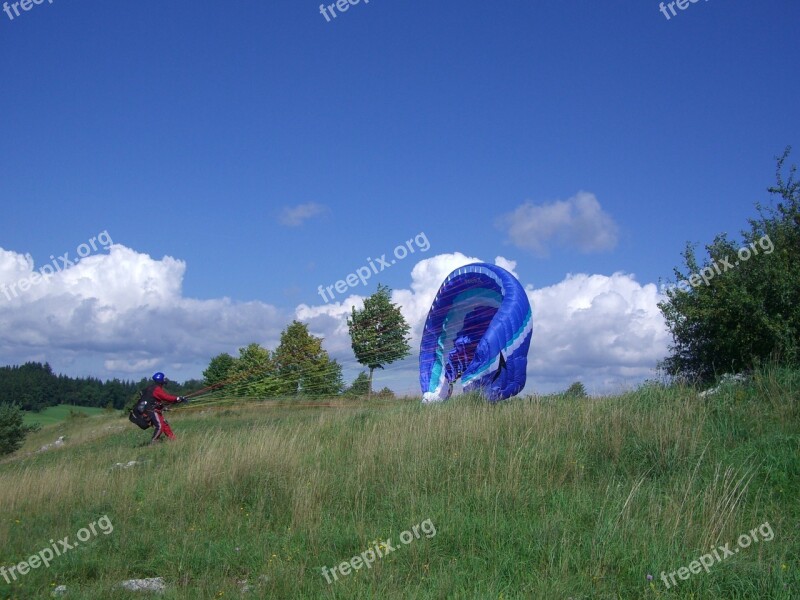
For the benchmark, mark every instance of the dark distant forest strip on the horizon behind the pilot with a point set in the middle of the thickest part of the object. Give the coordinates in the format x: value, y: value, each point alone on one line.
x: 34, y: 386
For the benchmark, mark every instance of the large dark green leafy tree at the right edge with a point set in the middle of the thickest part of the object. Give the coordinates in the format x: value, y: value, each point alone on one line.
x: 746, y: 308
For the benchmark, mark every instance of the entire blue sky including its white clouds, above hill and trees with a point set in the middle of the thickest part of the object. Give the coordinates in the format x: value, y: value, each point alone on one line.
x: 269, y: 151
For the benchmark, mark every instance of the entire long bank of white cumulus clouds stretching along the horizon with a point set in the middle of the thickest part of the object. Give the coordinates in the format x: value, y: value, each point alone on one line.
x: 124, y: 314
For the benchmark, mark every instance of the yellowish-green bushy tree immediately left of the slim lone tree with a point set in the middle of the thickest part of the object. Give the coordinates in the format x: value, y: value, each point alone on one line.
x: 303, y: 367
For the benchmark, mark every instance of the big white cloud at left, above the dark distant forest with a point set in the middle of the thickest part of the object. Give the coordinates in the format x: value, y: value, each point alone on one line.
x: 124, y: 310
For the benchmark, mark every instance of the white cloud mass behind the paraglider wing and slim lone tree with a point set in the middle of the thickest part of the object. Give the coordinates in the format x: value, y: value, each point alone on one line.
x: 606, y: 331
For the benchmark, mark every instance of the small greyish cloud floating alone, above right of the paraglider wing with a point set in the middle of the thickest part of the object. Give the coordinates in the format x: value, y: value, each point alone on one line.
x: 578, y: 222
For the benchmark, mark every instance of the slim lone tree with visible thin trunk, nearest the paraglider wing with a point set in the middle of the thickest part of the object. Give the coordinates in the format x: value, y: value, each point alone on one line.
x: 378, y: 332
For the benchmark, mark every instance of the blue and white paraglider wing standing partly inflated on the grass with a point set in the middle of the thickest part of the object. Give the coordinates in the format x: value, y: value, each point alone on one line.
x: 479, y: 330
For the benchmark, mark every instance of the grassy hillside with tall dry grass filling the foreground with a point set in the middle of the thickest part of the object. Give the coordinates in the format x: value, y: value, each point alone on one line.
x: 533, y: 498
